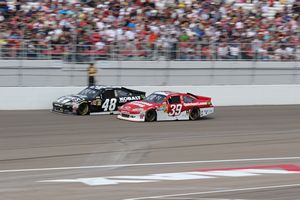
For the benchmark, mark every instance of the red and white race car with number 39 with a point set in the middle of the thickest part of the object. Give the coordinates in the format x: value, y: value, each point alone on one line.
x: 164, y: 105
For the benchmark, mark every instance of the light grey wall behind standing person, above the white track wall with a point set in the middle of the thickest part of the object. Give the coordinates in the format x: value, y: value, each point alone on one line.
x: 161, y: 73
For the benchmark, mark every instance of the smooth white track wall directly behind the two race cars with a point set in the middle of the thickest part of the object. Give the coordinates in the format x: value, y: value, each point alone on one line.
x: 34, y: 98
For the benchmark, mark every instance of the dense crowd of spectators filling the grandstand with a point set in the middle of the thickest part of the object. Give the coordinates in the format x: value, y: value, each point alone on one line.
x: 186, y: 29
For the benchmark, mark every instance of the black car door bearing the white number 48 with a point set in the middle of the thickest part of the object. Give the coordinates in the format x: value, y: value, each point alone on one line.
x: 109, y: 101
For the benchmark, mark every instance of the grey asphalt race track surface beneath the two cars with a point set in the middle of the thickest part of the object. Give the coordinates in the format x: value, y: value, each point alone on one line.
x: 48, y: 156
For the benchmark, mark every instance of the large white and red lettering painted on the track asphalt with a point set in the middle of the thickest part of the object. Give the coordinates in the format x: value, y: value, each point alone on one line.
x: 192, y: 175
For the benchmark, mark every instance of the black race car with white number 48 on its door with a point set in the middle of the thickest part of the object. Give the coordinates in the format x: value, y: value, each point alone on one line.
x: 96, y: 99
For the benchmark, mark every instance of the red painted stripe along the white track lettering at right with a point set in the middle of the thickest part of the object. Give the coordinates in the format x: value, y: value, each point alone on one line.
x: 287, y: 167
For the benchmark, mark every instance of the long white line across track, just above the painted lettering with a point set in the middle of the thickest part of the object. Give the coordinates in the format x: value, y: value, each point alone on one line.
x: 148, y: 164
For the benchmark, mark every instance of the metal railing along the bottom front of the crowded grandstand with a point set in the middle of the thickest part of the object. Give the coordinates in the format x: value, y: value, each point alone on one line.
x: 32, y: 50
